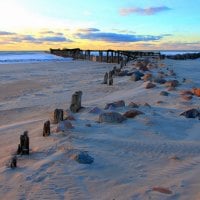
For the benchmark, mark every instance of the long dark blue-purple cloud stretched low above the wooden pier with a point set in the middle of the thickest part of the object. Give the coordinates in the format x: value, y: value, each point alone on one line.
x: 117, y: 37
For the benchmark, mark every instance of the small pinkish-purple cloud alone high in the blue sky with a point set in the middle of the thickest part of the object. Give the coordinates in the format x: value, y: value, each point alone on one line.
x: 143, y: 11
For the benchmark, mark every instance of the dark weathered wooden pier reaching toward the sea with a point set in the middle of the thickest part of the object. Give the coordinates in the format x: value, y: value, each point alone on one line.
x: 109, y: 56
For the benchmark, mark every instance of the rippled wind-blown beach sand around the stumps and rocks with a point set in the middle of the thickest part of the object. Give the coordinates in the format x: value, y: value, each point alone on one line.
x: 129, y: 158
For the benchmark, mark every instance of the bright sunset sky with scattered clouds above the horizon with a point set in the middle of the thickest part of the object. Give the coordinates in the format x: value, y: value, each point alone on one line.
x: 100, y: 24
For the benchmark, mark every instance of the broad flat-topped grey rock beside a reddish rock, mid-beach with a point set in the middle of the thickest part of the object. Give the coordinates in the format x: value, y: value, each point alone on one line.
x: 111, y: 117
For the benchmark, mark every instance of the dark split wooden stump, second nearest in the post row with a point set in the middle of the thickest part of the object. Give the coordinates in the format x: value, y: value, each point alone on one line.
x: 23, y: 147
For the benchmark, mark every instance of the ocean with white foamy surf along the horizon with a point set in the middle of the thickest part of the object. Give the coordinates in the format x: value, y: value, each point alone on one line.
x: 7, y: 57
